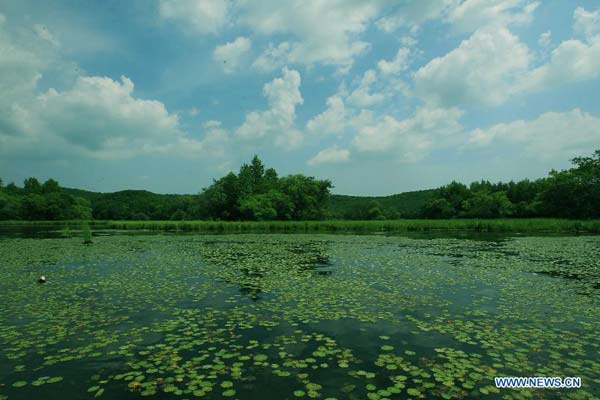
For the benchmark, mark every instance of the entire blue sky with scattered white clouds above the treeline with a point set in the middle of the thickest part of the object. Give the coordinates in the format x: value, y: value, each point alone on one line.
x: 380, y: 97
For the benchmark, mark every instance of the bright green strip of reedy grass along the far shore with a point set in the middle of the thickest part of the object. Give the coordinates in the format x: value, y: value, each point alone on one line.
x: 532, y: 225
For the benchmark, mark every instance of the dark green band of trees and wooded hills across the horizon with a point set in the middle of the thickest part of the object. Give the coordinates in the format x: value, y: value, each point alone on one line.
x: 257, y: 193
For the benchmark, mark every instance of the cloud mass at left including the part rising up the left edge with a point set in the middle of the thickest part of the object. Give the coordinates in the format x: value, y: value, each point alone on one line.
x: 95, y: 116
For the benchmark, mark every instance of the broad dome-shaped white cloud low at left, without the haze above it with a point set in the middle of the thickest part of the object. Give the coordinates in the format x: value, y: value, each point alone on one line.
x: 100, y: 118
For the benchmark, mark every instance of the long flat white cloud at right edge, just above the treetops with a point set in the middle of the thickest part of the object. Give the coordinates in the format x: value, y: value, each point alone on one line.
x: 552, y: 135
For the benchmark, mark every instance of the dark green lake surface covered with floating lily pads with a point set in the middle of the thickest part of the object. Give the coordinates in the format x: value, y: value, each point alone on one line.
x: 296, y: 316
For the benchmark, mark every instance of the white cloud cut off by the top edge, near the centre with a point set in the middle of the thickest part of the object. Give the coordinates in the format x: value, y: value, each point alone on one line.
x: 322, y: 32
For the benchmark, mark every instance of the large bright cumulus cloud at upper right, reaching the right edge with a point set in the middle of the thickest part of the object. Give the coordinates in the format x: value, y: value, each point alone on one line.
x: 494, y: 64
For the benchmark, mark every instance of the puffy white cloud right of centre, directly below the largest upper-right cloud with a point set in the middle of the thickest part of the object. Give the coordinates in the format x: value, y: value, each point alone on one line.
x: 409, y: 139
